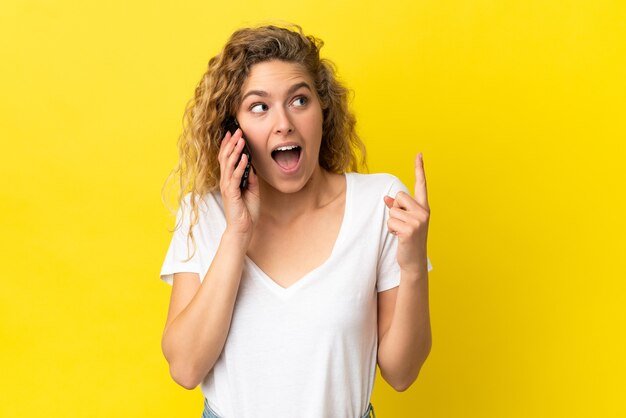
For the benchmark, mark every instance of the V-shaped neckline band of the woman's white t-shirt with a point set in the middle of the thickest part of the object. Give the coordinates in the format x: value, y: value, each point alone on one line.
x: 260, y: 275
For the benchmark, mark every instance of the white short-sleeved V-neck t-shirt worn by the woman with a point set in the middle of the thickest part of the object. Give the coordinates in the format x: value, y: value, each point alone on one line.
x: 308, y: 350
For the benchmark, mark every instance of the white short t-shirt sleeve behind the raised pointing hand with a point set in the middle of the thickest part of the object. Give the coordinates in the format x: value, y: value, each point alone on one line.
x: 388, y: 274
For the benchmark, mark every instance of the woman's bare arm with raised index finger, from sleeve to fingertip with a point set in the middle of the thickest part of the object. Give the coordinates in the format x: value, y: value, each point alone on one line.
x: 404, y: 319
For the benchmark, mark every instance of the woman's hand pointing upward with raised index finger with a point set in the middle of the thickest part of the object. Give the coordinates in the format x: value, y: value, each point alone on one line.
x: 408, y: 219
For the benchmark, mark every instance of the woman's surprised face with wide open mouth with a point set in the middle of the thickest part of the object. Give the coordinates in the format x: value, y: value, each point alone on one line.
x: 281, y: 117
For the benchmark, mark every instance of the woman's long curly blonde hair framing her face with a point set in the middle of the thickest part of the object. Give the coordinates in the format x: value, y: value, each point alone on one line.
x: 218, y: 95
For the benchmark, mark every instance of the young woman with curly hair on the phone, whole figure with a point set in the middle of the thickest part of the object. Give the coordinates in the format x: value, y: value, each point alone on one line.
x: 287, y: 293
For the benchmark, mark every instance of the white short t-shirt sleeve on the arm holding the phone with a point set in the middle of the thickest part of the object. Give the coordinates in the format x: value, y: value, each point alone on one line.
x: 181, y: 247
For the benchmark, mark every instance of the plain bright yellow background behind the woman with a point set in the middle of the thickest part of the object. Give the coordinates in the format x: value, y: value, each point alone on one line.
x: 518, y: 106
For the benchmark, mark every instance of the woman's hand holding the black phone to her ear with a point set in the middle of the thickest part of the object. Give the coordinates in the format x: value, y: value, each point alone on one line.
x: 240, y: 207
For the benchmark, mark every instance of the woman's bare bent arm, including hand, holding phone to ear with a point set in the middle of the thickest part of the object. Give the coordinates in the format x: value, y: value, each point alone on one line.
x: 199, y: 316
